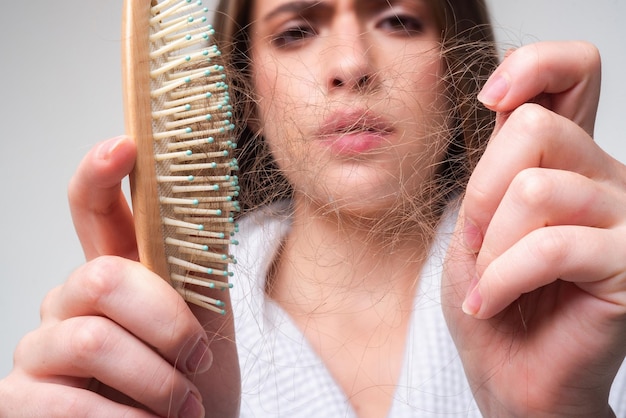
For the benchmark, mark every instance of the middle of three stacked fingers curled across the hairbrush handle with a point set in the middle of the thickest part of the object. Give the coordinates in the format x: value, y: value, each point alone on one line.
x: 95, y: 347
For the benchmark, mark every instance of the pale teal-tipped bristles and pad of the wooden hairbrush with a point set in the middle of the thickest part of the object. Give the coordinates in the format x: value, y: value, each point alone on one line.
x: 193, y: 145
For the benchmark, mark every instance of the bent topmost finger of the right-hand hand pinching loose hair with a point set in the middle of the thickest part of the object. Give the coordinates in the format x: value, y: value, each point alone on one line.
x: 568, y: 72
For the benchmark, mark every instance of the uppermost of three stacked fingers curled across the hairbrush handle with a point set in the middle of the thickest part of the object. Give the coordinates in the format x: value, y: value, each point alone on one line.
x: 125, y: 292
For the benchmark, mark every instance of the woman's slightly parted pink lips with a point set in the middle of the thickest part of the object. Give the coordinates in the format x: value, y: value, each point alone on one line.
x: 354, y: 131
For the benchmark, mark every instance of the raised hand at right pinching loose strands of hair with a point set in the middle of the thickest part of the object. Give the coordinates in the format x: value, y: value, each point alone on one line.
x: 538, y: 255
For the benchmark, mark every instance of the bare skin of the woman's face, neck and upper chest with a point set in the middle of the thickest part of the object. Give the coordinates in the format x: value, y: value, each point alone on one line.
x: 341, y: 56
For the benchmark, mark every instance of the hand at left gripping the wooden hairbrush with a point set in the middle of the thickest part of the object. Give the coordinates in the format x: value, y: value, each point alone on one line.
x: 103, y: 324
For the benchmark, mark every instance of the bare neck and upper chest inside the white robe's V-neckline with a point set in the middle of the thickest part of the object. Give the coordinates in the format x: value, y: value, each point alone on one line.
x: 348, y: 282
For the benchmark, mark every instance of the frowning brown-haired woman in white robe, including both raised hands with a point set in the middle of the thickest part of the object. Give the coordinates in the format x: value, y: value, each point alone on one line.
x: 368, y: 110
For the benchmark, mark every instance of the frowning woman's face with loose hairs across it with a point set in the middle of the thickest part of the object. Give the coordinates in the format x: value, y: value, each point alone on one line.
x: 350, y: 97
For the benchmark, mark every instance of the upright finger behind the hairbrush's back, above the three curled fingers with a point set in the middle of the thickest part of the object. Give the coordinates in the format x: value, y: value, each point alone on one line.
x: 101, y: 214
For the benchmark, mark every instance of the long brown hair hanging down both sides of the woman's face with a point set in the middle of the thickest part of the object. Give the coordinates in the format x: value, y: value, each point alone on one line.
x: 469, y: 55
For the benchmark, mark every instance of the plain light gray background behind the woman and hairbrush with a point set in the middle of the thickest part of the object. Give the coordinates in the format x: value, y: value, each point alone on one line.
x: 60, y: 95
